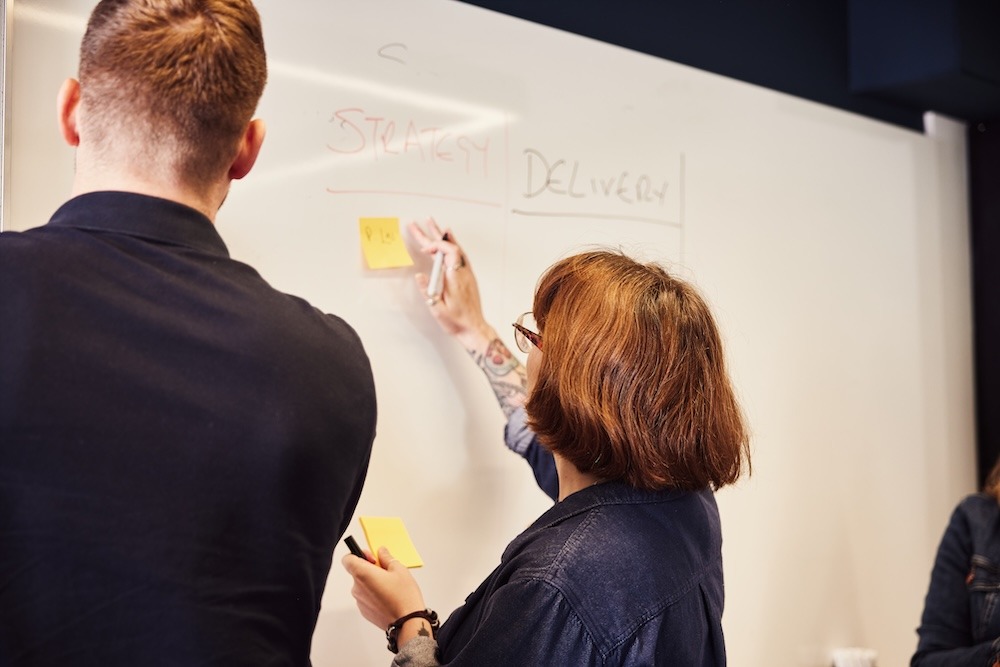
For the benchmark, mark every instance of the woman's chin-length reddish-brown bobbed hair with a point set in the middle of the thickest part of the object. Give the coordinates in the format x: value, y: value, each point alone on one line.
x: 632, y: 384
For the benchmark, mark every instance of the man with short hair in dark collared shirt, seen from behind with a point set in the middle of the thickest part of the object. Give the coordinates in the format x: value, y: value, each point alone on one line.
x: 181, y: 445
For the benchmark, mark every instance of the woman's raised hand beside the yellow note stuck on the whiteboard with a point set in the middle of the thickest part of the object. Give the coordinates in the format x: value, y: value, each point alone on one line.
x: 458, y: 310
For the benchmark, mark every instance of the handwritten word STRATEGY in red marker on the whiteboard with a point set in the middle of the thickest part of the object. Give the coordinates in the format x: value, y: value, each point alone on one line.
x: 356, y: 131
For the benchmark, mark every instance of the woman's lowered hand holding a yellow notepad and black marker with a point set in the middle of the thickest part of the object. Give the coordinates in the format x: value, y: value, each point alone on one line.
x: 384, y: 592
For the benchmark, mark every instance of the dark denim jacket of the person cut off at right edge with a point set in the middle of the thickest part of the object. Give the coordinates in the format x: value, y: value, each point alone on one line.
x: 961, y: 622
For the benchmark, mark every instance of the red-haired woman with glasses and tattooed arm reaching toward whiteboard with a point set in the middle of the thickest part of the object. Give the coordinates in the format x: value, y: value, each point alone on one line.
x: 627, y: 397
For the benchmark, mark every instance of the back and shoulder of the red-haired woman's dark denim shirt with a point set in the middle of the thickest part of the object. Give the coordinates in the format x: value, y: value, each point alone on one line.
x: 611, y: 575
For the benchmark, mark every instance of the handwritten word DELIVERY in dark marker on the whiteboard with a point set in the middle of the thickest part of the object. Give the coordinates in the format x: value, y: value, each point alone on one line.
x: 561, y: 177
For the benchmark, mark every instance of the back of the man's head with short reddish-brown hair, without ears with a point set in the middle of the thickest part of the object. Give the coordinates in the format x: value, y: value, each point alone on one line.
x: 171, y: 84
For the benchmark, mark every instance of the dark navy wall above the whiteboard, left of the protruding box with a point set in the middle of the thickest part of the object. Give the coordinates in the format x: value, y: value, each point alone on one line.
x: 795, y: 47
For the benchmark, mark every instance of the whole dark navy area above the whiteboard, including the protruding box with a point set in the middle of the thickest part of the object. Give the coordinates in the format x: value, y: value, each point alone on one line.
x: 888, y: 59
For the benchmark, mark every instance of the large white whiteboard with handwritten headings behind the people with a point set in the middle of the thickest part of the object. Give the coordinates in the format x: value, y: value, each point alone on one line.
x: 833, y: 249
